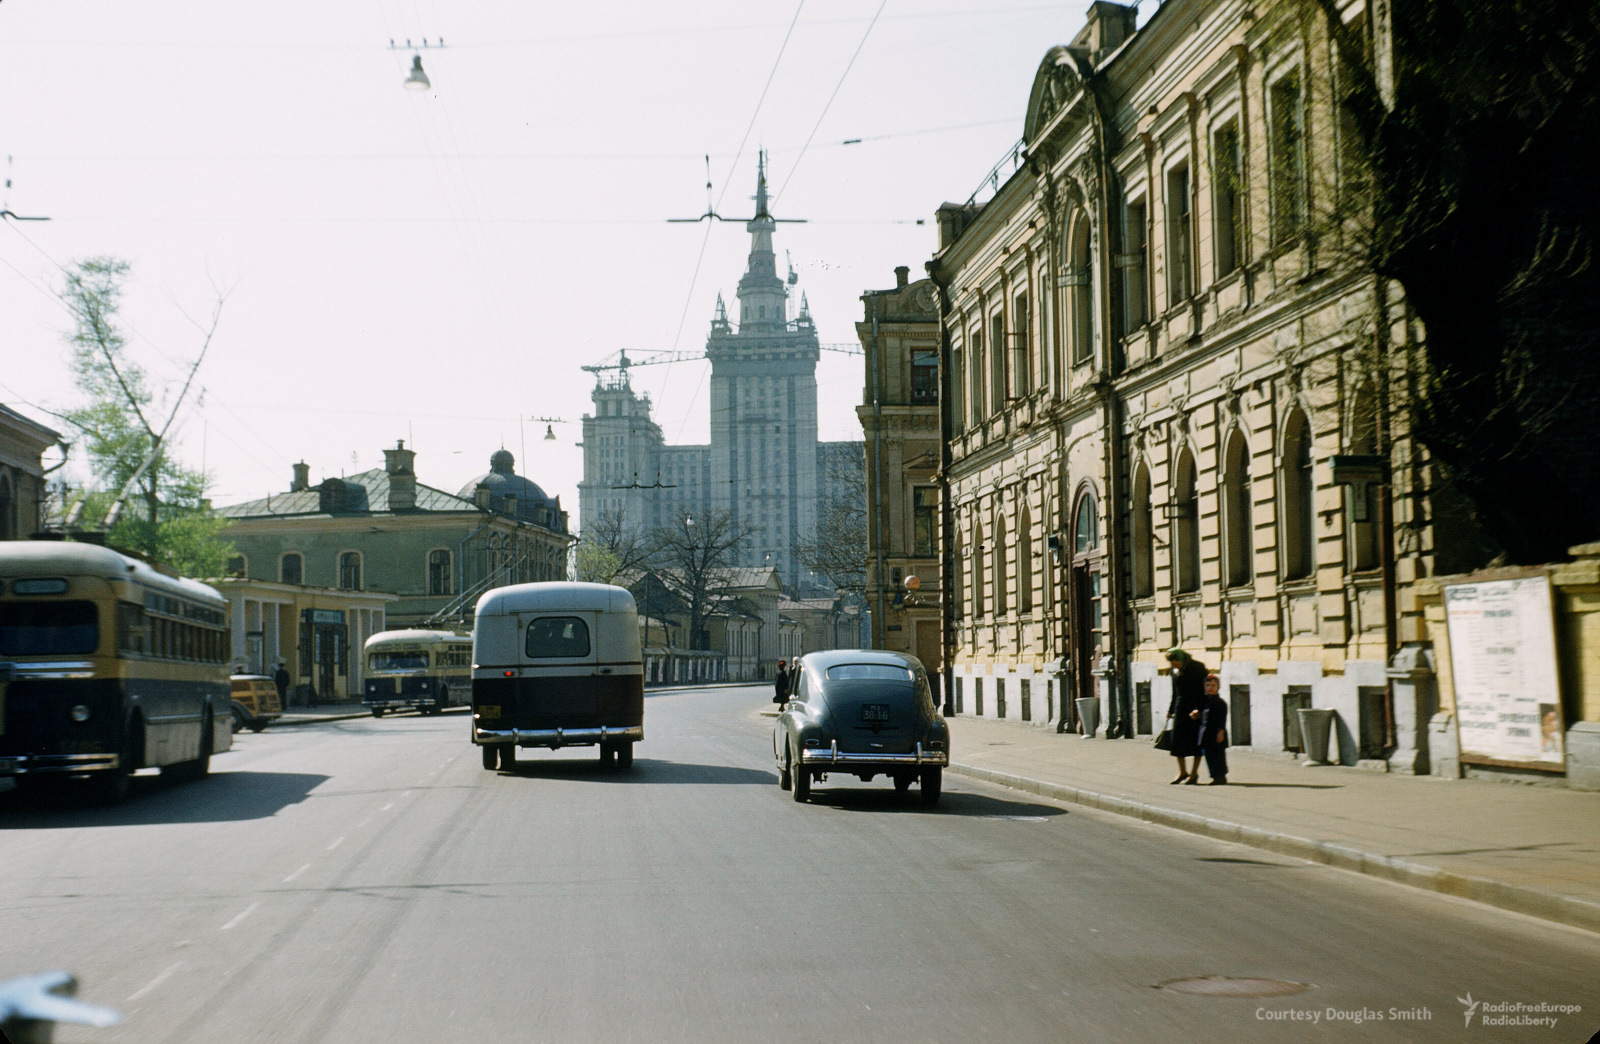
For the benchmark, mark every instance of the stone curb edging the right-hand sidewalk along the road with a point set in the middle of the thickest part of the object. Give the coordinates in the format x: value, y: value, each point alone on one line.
x: 1519, y: 899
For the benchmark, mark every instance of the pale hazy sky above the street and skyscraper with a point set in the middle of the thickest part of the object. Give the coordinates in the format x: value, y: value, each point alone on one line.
x: 436, y: 267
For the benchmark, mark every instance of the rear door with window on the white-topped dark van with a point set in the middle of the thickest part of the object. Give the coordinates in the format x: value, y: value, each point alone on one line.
x: 559, y: 673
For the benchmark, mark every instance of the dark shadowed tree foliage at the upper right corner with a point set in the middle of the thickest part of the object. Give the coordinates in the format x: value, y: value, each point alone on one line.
x: 1481, y: 180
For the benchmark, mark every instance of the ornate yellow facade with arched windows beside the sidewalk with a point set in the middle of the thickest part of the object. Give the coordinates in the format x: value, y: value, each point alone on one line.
x: 1169, y: 401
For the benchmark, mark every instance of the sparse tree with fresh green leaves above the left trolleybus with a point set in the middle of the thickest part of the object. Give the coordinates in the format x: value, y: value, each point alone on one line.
x: 126, y: 440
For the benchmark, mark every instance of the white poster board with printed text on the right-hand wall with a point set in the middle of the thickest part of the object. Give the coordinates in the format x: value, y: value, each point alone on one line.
x: 1503, y: 659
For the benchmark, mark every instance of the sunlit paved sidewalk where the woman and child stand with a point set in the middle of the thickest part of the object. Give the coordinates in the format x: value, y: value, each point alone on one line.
x: 1532, y: 849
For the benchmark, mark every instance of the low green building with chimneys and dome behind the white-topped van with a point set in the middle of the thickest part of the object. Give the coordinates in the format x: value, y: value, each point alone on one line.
x: 383, y: 531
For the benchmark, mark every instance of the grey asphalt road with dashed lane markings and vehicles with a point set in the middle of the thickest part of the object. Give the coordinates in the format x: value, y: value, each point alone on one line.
x: 370, y: 881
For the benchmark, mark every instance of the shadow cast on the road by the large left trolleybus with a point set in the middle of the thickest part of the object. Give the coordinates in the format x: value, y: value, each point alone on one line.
x: 220, y: 798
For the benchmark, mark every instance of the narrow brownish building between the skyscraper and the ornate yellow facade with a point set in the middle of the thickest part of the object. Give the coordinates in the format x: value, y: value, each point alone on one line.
x: 900, y: 416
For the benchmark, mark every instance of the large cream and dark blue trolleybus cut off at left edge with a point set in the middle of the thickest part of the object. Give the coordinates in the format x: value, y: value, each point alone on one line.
x: 108, y: 665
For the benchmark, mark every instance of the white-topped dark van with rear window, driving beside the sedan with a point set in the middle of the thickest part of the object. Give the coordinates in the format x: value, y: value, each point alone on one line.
x: 558, y: 665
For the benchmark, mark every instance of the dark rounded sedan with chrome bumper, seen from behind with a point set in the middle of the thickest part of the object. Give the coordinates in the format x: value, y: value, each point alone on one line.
x: 862, y: 713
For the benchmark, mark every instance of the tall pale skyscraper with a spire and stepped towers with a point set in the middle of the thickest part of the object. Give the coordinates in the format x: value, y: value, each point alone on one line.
x: 764, y: 460
